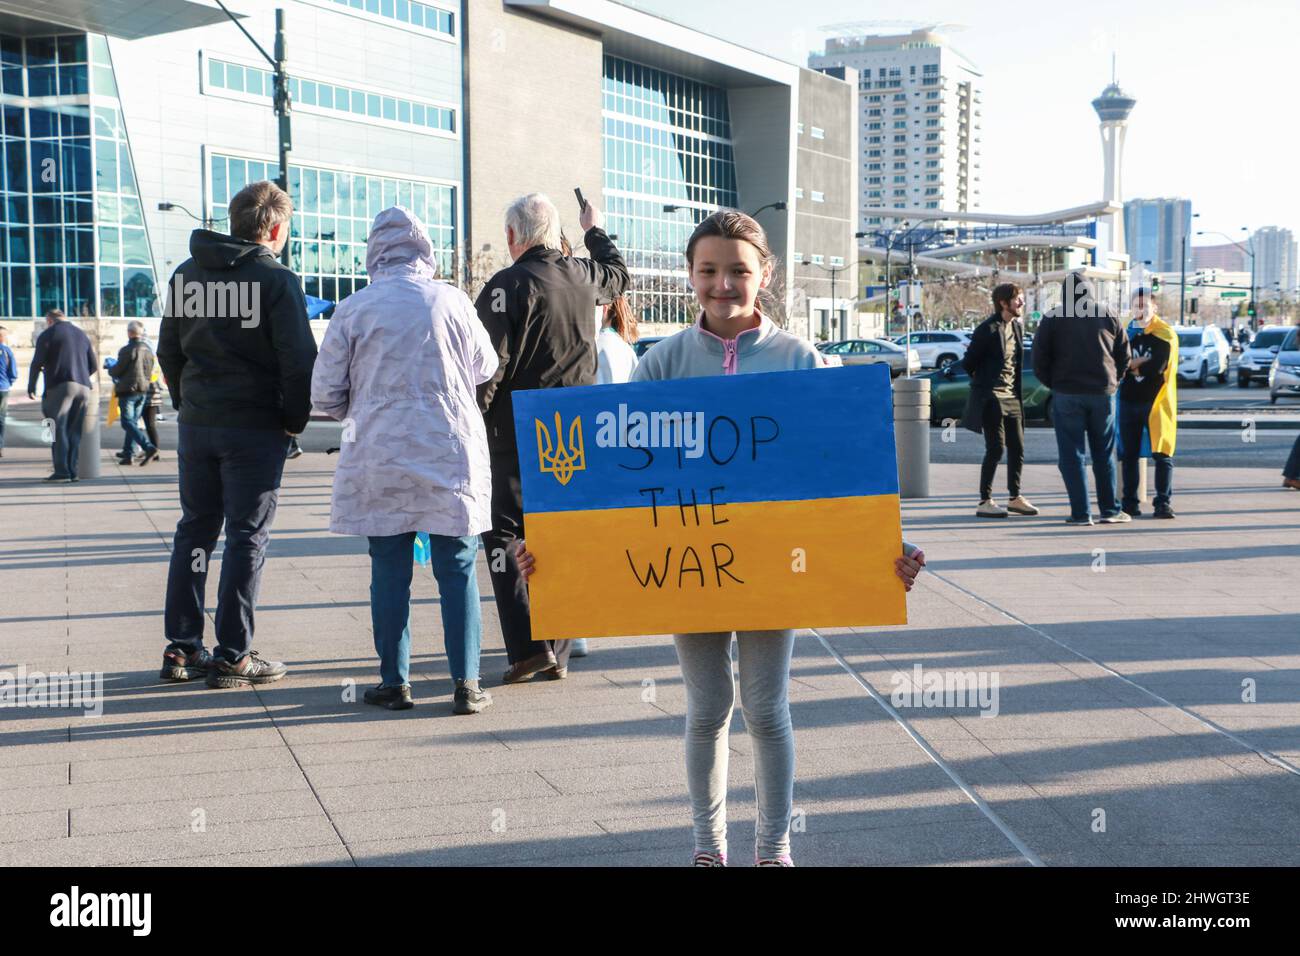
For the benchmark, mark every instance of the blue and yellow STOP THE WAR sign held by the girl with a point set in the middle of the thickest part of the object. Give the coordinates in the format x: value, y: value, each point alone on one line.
x: 743, y: 503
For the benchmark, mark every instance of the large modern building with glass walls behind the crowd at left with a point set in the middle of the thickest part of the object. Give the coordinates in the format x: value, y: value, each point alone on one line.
x: 450, y: 109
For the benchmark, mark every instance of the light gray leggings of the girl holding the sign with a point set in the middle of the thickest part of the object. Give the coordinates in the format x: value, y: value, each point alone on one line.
x: 765, y: 677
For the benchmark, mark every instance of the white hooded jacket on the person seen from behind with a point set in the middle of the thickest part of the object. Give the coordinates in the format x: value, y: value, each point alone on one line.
x: 400, y: 367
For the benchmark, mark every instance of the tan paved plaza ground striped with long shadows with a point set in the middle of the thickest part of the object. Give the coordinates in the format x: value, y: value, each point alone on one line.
x: 1121, y: 737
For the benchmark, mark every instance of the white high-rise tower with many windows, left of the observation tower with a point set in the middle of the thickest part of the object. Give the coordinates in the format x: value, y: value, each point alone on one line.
x: 918, y: 122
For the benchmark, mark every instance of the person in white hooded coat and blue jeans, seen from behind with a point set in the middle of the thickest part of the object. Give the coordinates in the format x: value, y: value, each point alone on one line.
x: 400, y: 367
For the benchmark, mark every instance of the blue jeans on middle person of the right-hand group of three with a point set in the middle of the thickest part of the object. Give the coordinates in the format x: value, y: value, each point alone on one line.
x: 1093, y: 418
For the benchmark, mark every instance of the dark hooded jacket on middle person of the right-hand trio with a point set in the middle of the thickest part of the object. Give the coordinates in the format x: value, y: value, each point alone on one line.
x: 1081, y: 349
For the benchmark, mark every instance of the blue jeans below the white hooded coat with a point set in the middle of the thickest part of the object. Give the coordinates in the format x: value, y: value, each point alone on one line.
x: 453, y: 563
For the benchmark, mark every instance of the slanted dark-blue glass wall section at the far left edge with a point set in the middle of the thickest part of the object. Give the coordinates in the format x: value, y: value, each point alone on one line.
x: 73, y: 230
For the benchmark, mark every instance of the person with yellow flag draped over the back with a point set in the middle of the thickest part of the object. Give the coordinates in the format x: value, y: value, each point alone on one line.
x: 1149, y: 406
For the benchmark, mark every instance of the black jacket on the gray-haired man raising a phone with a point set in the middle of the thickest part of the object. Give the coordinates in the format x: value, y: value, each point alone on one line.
x: 540, y: 314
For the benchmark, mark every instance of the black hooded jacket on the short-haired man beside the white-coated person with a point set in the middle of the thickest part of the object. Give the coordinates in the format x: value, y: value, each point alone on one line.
x: 235, y: 345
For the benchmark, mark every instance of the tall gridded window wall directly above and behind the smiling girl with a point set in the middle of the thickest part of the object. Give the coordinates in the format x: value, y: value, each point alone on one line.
x: 668, y: 144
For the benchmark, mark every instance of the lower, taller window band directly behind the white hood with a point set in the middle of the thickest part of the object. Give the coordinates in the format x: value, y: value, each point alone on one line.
x: 333, y: 210
